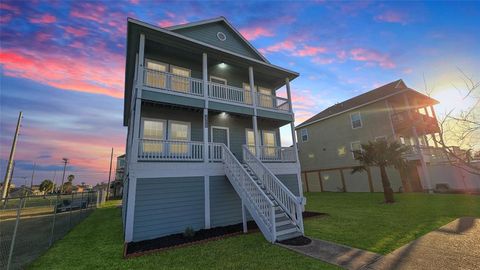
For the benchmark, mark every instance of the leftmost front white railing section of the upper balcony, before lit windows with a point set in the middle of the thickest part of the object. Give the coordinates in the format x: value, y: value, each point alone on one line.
x: 171, y: 82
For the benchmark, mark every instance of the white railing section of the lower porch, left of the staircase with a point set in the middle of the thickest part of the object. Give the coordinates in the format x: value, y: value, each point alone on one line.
x: 163, y: 150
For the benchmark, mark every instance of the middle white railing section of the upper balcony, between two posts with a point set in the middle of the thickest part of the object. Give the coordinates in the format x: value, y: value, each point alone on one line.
x: 229, y: 93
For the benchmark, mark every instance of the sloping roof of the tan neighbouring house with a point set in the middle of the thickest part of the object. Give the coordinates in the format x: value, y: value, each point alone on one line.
x: 377, y: 94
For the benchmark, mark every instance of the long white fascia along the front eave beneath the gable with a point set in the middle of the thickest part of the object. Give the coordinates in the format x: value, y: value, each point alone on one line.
x: 165, y: 31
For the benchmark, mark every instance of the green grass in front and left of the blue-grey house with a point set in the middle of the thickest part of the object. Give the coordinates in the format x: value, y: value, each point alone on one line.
x: 97, y: 243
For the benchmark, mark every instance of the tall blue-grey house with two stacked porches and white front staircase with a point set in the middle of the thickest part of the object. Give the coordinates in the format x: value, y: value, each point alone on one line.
x: 203, y: 145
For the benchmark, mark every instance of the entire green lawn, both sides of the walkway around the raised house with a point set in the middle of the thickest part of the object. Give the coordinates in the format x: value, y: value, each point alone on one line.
x: 356, y: 219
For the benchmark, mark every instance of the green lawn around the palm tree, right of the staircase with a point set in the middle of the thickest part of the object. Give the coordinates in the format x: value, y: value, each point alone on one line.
x: 361, y: 219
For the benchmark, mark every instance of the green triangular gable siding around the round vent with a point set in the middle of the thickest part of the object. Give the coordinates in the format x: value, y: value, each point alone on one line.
x: 208, y: 33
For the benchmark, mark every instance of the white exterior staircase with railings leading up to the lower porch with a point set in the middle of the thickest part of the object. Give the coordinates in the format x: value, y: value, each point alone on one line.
x: 275, y: 209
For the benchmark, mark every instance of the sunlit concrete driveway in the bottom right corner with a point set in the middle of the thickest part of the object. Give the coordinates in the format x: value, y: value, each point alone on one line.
x: 453, y: 246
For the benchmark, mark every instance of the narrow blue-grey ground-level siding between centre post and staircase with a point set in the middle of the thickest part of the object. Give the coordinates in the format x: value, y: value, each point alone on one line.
x: 225, y: 204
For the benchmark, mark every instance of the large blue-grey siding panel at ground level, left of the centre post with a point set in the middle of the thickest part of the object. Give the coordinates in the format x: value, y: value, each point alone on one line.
x: 166, y: 206
